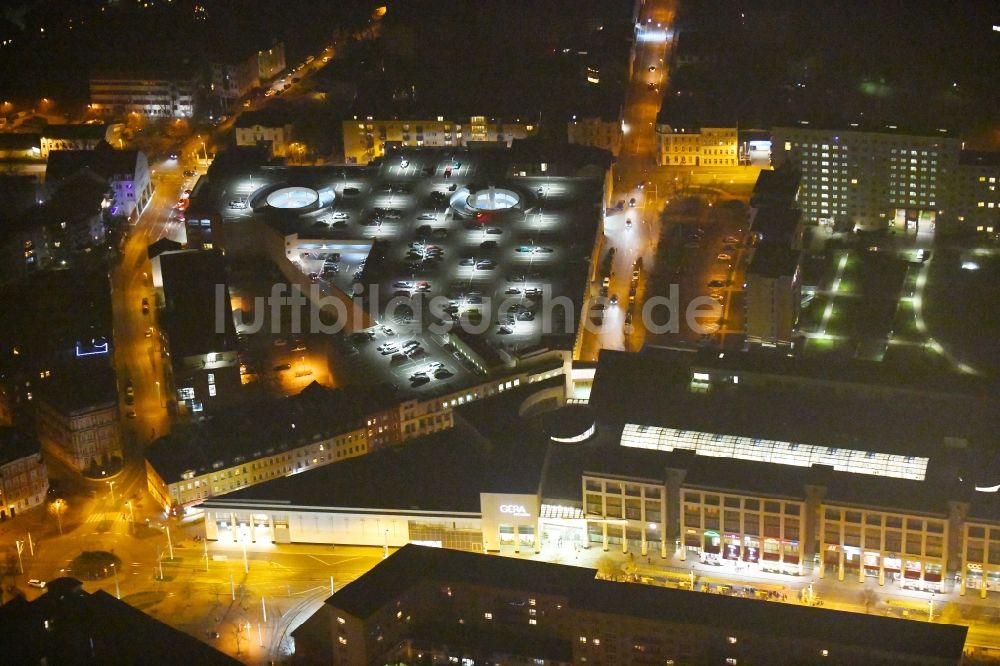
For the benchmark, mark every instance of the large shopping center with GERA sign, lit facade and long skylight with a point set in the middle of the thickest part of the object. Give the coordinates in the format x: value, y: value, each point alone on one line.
x: 691, y: 458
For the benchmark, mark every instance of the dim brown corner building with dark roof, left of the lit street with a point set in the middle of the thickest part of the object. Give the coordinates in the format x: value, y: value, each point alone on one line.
x: 80, y: 428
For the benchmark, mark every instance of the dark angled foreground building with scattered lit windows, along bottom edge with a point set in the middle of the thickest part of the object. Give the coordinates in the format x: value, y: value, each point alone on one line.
x: 429, y: 605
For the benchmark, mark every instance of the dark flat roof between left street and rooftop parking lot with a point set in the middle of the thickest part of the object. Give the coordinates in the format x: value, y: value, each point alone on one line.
x: 190, y: 282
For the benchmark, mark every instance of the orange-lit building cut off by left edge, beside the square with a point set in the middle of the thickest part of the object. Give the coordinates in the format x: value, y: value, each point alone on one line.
x: 24, y: 480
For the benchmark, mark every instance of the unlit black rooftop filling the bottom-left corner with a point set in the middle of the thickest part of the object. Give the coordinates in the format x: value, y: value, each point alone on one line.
x: 68, y: 625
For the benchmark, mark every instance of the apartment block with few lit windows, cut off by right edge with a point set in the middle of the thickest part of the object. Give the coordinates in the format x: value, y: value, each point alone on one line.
x: 976, y: 194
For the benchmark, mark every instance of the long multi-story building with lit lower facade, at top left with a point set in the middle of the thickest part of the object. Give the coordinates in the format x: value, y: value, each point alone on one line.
x: 156, y: 97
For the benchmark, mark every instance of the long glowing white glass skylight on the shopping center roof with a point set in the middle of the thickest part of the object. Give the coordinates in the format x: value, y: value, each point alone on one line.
x: 771, y: 451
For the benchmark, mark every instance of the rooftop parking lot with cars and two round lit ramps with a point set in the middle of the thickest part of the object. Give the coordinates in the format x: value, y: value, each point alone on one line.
x: 430, y: 239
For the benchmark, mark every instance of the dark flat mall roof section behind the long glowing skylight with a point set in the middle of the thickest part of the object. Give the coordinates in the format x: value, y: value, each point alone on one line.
x: 857, y: 405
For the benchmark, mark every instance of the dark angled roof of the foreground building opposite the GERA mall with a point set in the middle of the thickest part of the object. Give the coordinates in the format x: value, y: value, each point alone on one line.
x: 411, y: 565
